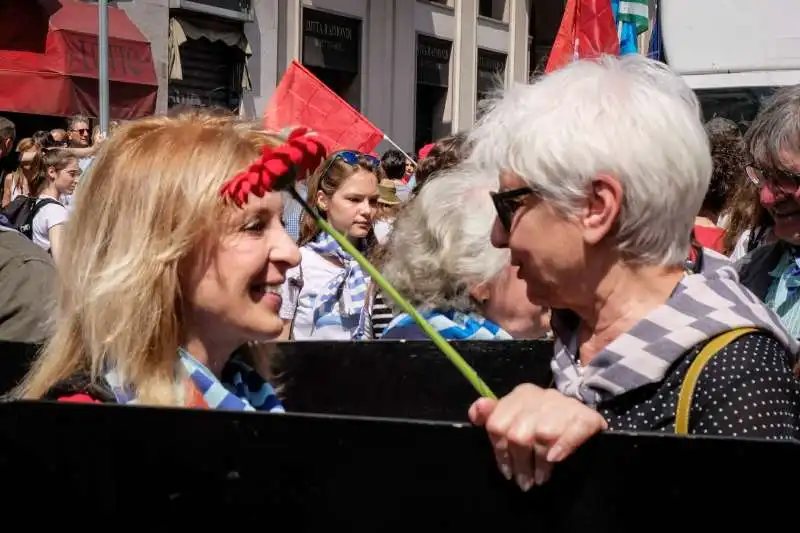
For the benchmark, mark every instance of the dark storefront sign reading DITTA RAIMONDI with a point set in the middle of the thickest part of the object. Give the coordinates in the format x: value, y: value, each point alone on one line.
x: 331, y: 41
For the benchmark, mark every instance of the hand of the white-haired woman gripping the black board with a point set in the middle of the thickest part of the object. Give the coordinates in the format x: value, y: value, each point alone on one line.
x: 532, y: 428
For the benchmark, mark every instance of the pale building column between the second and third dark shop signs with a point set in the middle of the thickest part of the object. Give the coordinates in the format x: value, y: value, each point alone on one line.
x: 465, y: 64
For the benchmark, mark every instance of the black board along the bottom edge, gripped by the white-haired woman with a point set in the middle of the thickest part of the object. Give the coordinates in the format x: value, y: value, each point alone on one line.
x: 319, y: 473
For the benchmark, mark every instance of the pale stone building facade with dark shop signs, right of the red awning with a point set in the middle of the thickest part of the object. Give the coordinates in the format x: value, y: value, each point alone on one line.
x: 417, y: 69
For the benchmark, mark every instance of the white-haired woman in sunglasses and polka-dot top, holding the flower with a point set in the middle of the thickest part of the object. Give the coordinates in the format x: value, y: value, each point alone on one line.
x: 603, y: 166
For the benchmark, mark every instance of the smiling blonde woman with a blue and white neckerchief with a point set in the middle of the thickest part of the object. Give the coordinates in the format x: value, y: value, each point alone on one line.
x: 165, y: 283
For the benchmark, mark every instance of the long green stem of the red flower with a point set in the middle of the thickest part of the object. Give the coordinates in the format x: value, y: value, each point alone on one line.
x: 455, y: 358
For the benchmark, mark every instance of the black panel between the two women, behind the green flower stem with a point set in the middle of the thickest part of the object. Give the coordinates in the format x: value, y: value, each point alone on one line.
x: 399, y: 379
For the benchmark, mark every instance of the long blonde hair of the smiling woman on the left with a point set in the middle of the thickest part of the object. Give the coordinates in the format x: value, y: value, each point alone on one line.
x: 151, y: 199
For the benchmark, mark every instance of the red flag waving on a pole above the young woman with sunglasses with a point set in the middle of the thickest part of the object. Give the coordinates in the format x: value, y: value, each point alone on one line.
x: 301, y: 99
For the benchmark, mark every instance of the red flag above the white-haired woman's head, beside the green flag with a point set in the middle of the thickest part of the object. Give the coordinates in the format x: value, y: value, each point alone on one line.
x: 587, y: 31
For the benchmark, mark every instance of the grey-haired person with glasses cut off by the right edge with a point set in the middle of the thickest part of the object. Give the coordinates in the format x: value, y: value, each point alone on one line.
x: 772, y: 272
